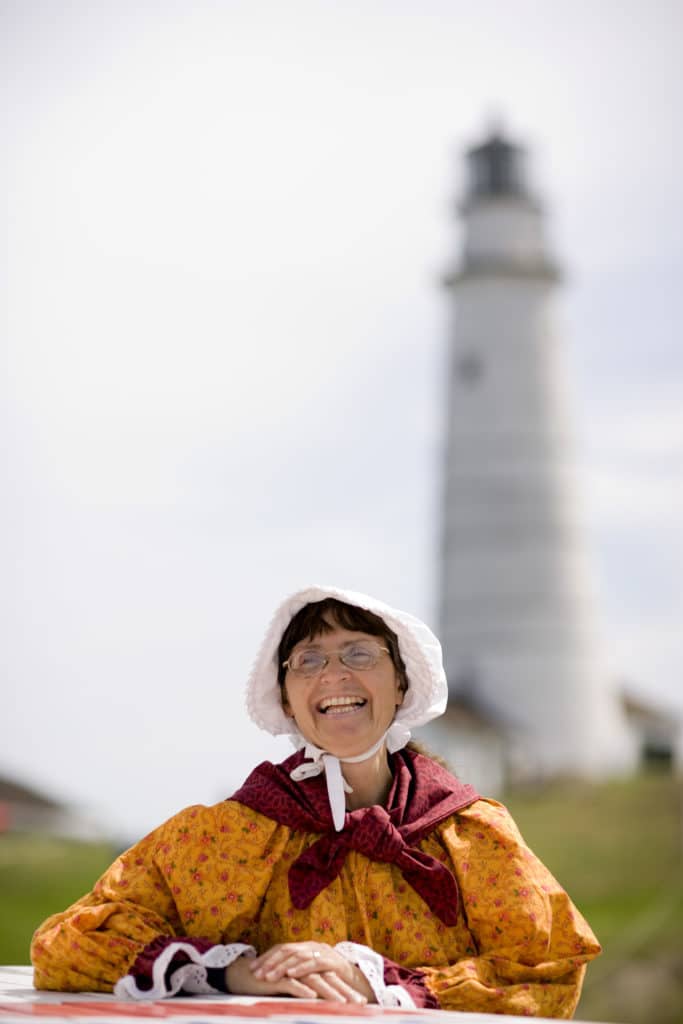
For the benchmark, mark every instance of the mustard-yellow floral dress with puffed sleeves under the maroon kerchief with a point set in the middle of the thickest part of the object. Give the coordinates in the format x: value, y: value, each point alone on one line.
x: 519, y: 946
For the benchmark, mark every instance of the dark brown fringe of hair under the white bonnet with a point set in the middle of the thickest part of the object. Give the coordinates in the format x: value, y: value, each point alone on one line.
x: 311, y: 622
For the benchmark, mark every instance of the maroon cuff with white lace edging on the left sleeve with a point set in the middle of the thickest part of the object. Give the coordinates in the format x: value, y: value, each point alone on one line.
x: 169, y: 966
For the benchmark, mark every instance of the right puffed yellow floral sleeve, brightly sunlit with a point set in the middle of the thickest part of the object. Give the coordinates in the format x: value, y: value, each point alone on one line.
x: 530, y: 944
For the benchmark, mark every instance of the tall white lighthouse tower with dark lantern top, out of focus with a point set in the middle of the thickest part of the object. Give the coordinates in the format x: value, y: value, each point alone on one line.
x: 518, y: 619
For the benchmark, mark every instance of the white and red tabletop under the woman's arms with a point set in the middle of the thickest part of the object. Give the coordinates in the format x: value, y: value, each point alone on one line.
x: 20, y: 1002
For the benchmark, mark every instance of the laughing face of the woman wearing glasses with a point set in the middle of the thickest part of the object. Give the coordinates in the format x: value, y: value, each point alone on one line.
x: 340, y: 710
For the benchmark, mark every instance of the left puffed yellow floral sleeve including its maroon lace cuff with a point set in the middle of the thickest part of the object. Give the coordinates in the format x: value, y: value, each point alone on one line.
x: 172, y: 902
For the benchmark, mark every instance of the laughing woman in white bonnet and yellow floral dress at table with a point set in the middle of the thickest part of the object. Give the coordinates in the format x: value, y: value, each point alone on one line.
x: 358, y: 871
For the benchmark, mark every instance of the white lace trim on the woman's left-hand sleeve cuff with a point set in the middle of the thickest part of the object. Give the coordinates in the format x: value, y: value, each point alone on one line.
x: 191, y: 978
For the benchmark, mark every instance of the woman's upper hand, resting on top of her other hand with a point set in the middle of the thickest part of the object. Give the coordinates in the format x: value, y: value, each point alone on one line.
x: 318, y: 966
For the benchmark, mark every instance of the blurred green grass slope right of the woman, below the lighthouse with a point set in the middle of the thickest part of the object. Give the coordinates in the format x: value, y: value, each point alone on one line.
x: 618, y: 849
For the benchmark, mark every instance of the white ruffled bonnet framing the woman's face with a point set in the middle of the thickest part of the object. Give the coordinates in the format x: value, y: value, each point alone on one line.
x: 428, y: 690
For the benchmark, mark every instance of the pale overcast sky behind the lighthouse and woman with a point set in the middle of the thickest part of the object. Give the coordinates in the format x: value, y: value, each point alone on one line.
x: 228, y: 224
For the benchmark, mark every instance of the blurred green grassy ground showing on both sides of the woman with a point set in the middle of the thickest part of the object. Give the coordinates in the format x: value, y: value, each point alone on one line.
x: 618, y: 848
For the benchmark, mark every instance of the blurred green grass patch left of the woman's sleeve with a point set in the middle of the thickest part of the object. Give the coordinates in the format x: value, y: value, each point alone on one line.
x: 39, y: 877
